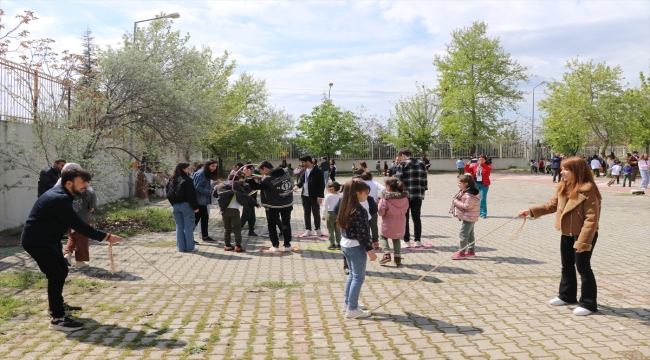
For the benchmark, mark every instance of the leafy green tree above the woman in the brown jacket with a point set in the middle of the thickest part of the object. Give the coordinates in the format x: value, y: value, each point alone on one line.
x: 586, y: 103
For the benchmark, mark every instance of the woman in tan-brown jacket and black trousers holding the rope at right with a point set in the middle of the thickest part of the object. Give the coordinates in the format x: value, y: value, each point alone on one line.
x: 576, y: 205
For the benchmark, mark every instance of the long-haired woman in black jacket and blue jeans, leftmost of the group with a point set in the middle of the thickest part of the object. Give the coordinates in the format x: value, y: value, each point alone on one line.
x: 182, y: 195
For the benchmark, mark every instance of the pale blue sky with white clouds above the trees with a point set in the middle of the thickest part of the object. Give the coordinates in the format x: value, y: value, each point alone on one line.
x: 373, y: 51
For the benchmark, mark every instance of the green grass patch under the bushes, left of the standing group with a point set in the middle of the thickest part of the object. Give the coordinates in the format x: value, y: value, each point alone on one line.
x: 123, y: 217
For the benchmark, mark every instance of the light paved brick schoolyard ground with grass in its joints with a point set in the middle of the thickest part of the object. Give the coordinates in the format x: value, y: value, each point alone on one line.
x: 490, y: 307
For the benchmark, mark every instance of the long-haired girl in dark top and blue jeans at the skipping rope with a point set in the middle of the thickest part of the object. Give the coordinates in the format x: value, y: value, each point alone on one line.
x: 356, y: 242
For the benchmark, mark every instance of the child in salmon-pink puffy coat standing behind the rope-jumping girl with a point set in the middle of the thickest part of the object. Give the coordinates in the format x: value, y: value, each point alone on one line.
x: 392, y: 208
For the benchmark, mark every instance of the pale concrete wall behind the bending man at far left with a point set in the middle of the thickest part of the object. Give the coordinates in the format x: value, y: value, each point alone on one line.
x: 15, y: 204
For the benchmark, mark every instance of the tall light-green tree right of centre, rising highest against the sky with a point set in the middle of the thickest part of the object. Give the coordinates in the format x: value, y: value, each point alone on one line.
x: 478, y: 82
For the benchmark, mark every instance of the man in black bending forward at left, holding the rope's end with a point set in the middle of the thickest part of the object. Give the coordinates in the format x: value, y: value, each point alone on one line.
x: 50, y: 217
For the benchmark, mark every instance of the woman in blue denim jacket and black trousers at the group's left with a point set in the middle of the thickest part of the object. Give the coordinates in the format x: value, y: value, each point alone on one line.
x: 202, y: 184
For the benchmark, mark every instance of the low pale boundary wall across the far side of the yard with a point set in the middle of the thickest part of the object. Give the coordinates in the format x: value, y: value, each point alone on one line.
x: 436, y: 164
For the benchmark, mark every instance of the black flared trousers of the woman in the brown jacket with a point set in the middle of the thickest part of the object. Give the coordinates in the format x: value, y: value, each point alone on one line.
x: 569, y: 283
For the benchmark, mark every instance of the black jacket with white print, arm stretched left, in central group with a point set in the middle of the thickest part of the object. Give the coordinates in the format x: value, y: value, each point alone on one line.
x: 276, y: 188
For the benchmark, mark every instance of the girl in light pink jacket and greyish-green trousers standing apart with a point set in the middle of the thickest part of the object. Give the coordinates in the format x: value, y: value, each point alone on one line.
x: 466, y: 209
